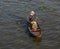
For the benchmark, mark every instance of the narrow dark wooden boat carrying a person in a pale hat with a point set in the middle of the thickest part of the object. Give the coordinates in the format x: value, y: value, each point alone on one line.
x: 36, y: 33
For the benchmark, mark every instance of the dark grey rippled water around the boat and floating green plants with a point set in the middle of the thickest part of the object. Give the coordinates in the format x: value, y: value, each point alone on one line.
x: 13, y: 14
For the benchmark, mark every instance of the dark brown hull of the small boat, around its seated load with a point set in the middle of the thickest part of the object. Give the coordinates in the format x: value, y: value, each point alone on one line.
x: 34, y: 34
